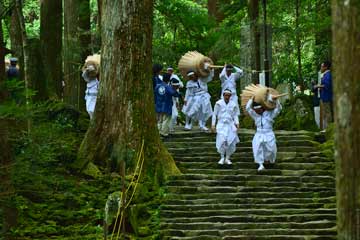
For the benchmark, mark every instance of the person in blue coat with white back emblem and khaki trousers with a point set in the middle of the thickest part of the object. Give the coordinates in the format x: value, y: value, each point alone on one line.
x: 164, y: 94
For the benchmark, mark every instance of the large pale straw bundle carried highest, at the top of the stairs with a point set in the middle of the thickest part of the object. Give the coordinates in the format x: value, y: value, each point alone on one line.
x: 194, y: 61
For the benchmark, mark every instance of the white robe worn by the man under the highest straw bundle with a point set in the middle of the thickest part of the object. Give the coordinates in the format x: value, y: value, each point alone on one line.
x: 198, y: 105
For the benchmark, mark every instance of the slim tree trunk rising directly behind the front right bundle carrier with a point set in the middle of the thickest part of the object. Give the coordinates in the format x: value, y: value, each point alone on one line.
x: 253, y: 7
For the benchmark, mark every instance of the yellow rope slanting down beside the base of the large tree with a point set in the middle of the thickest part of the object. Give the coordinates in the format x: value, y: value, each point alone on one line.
x: 137, y: 172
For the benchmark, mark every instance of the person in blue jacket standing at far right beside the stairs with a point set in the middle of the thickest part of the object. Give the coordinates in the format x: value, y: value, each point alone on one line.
x: 326, y: 94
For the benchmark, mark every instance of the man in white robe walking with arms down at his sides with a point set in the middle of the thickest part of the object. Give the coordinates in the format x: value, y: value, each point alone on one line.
x: 226, y: 112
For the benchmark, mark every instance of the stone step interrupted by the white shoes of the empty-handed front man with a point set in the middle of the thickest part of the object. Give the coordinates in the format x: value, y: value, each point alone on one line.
x: 215, y: 158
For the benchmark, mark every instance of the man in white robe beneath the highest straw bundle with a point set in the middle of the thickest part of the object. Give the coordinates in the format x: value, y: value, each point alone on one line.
x: 197, y: 105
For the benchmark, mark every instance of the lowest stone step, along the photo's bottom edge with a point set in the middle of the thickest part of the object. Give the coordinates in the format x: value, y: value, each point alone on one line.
x: 255, y: 237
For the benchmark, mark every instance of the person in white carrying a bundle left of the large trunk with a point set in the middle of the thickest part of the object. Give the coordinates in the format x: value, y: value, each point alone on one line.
x: 92, y: 88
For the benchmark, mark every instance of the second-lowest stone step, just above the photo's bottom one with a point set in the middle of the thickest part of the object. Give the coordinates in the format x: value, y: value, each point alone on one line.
x: 243, y: 226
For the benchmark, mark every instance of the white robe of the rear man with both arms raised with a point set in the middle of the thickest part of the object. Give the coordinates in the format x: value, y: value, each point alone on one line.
x: 229, y: 82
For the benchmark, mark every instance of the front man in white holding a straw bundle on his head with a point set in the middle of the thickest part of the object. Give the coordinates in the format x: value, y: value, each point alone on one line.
x: 264, y: 142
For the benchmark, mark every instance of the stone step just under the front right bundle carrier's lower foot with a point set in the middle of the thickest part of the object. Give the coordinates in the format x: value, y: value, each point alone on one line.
x: 271, y: 172
